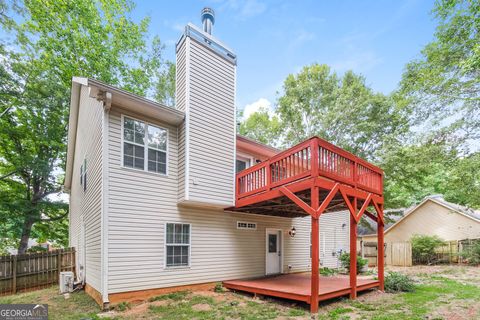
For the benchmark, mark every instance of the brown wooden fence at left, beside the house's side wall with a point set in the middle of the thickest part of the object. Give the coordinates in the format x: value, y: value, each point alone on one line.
x: 30, y: 271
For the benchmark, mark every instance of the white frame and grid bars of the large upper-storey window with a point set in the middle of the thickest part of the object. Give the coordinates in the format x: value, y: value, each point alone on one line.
x: 145, y: 146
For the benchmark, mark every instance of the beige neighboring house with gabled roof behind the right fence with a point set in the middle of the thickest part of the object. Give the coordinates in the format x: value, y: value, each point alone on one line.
x: 433, y: 216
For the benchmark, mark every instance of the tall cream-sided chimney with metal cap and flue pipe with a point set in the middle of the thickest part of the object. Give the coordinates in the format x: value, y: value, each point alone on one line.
x: 205, y: 91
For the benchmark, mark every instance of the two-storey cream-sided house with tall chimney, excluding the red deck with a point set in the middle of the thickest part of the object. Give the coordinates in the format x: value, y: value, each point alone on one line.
x: 149, y: 184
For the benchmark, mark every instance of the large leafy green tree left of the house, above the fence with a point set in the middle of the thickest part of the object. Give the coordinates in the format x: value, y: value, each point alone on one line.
x: 53, y: 41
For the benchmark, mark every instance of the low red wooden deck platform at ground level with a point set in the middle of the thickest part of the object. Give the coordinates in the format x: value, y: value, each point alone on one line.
x: 297, y: 286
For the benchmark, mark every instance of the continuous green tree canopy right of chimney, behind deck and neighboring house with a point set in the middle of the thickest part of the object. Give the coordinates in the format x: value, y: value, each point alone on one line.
x: 425, y: 135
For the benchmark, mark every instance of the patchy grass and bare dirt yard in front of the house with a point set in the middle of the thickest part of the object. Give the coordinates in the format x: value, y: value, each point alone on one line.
x: 444, y: 294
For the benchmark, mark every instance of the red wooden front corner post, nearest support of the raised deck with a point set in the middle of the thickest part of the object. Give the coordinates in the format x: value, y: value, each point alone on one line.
x: 315, y: 233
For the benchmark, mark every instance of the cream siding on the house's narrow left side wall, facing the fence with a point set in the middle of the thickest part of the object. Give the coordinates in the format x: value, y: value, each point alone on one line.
x: 85, y: 197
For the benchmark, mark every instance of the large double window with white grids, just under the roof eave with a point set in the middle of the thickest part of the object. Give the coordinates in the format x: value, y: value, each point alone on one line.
x: 144, y: 146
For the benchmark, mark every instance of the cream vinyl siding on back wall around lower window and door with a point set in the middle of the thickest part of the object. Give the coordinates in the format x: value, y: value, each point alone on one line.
x: 142, y: 203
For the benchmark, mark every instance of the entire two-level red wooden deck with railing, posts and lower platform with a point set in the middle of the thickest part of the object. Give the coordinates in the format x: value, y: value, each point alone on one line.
x: 312, y: 178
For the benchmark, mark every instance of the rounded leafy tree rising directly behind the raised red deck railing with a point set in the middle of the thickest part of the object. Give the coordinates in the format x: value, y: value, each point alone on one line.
x: 343, y: 110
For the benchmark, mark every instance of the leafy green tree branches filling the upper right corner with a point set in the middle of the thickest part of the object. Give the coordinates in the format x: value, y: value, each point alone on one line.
x: 444, y: 83
